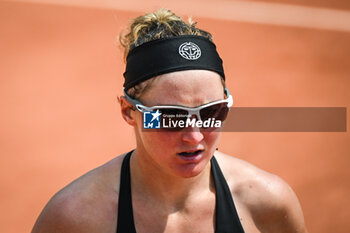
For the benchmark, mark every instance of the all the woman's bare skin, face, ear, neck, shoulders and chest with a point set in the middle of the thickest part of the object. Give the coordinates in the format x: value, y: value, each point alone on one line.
x: 170, y: 195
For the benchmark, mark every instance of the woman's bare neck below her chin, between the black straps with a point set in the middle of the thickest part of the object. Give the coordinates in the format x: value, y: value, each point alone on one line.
x: 155, y: 184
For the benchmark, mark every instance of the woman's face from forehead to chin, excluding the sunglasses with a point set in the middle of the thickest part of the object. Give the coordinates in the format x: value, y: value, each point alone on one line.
x: 183, y: 153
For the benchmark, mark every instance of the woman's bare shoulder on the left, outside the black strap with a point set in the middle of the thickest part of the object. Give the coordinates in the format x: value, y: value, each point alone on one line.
x: 88, y: 204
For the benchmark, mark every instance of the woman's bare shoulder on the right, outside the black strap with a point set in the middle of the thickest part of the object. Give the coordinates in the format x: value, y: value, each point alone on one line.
x: 271, y: 202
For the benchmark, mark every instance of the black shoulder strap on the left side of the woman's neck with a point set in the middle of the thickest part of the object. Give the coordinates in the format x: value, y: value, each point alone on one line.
x: 125, y: 222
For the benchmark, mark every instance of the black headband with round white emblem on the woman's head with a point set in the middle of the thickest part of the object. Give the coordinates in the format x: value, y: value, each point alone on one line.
x: 167, y: 55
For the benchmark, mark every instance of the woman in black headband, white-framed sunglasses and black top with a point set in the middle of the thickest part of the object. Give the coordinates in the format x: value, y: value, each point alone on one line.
x: 175, y: 180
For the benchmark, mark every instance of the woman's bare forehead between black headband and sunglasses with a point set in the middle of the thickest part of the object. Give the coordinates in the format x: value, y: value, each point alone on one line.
x: 188, y: 88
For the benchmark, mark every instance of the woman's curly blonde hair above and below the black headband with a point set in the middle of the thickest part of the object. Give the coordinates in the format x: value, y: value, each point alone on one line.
x: 160, y: 24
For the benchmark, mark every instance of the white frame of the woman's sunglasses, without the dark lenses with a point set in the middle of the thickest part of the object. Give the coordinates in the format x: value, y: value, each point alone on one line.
x: 191, y: 111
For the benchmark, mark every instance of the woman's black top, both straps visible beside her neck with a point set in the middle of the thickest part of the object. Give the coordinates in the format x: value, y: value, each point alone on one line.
x: 227, y: 220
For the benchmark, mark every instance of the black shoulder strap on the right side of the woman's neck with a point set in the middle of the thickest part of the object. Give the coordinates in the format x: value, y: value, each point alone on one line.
x: 227, y: 220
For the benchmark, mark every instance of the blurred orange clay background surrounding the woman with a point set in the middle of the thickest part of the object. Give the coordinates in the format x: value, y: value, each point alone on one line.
x: 61, y: 72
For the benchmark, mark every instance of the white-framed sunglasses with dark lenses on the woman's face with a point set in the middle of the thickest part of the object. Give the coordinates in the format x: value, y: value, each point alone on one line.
x: 216, y: 110
